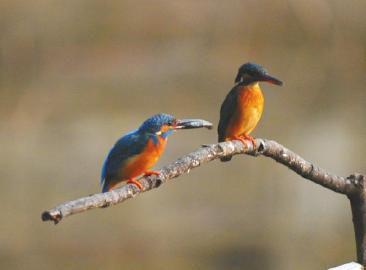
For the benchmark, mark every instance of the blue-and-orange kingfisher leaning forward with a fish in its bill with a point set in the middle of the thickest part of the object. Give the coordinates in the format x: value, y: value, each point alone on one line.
x: 138, y: 151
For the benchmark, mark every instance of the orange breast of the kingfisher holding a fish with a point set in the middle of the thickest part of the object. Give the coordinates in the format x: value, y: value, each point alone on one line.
x: 142, y: 162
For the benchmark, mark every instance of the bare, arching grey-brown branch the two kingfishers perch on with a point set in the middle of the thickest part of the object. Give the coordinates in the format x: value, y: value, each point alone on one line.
x: 195, y: 159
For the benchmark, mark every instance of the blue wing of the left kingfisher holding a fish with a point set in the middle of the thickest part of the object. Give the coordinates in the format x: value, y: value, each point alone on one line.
x: 127, y: 146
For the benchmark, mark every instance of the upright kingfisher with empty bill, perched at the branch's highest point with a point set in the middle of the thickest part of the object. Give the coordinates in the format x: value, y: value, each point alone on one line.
x: 243, y: 106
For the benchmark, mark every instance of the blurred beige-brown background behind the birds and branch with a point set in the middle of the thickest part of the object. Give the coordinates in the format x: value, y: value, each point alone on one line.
x: 75, y: 75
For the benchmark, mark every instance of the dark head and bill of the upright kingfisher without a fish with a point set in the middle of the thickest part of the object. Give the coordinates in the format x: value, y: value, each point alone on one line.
x: 251, y: 72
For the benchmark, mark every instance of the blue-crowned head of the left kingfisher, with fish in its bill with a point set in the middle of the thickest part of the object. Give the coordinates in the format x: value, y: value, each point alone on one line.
x: 164, y: 124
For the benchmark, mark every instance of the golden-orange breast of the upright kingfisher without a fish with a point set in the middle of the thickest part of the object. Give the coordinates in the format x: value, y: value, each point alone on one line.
x: 250, y: 102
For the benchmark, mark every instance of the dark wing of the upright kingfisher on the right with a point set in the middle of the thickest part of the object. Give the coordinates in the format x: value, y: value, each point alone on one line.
x: 227, y: 111
